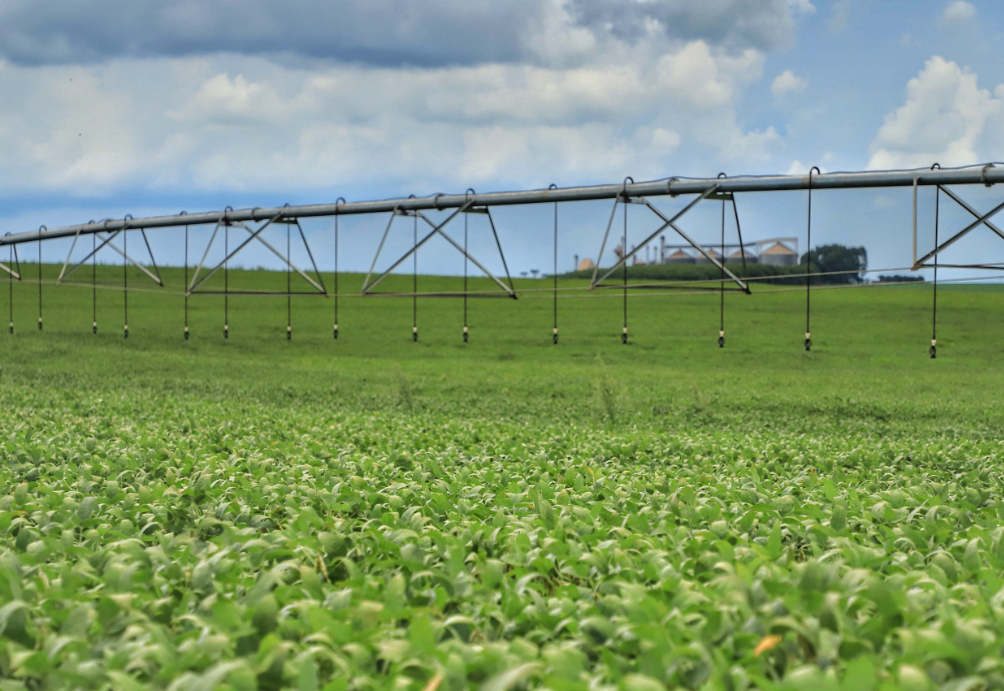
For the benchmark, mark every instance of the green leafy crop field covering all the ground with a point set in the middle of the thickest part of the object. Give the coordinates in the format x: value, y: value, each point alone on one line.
x: 374, y: 514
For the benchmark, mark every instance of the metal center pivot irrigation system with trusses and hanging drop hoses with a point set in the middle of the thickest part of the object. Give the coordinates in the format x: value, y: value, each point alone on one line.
x: 253, y: 223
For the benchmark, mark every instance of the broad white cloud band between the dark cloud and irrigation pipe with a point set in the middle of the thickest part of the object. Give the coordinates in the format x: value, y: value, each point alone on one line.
x: 198, y: 124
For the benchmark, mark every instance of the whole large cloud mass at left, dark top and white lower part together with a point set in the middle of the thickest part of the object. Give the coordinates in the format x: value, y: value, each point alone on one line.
x: 226, y: 96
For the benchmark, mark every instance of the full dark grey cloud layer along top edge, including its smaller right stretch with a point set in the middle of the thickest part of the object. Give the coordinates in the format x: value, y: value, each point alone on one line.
x: 386, y: 33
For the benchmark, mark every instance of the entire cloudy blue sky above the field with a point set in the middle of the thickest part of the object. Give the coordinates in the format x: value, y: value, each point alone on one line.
x: 117, y: 106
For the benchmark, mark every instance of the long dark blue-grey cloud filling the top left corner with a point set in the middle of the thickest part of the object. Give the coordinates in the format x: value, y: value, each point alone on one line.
x: 374, y: 32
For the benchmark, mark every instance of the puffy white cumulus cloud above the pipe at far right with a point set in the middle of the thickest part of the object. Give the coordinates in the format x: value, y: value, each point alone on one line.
x: 942, y: 121
